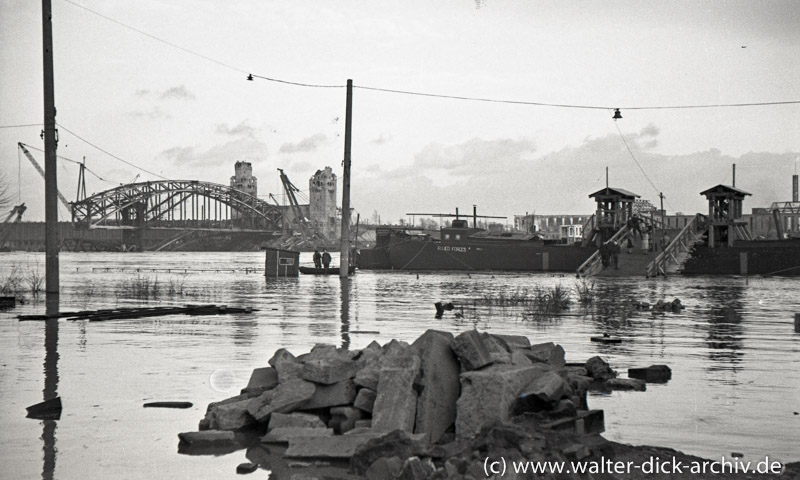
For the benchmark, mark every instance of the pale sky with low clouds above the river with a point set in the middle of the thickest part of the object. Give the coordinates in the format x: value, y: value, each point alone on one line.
x: 158, y: 89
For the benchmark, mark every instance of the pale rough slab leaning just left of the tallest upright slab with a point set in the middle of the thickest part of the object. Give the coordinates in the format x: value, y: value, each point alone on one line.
x: 395, y: 405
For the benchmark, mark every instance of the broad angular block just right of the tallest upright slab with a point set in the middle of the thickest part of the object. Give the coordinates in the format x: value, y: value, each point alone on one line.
x: 487, y: 395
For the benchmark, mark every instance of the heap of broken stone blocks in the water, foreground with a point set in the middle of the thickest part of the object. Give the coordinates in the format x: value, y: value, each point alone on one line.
x: 431, y: 409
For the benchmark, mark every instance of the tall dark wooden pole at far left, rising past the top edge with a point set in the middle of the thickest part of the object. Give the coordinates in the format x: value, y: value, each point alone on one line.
x: 51, y: 179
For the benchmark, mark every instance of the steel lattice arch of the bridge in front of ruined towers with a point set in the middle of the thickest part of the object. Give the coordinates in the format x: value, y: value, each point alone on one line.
x: 175, y: 201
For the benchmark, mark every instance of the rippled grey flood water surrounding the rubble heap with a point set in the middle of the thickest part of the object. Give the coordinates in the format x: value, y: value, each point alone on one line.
x: 733, y: 352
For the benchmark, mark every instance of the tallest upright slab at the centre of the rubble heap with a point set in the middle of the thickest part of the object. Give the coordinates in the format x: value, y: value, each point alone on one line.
x: 436, y: 405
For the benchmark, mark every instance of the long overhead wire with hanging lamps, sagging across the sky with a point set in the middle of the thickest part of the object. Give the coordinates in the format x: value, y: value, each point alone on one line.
x: 252, y: 76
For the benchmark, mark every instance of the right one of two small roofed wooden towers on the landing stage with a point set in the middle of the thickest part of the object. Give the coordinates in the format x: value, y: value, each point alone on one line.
x: 725, y: 216
